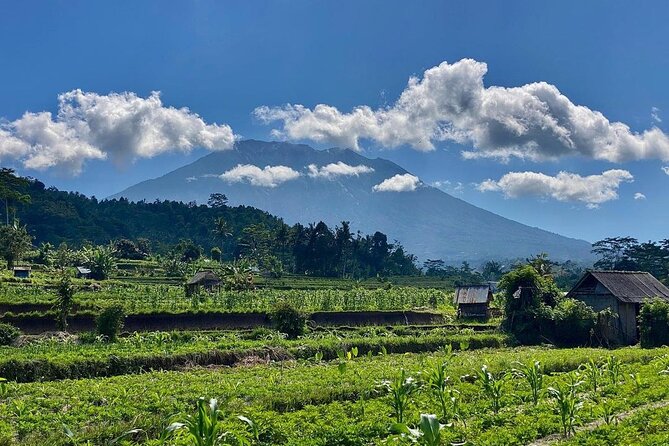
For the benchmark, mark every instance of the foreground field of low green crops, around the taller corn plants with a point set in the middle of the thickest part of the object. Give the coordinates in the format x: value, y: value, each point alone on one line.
x: 318, y: 403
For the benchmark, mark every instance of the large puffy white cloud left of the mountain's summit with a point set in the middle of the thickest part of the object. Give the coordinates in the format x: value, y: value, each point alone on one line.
x: 118, y: 126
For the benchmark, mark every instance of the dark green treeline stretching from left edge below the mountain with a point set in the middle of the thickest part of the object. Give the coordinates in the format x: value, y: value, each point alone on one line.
x: 189, y: 230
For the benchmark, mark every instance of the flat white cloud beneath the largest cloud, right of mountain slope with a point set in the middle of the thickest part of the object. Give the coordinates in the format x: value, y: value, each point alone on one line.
x: 591, y: 190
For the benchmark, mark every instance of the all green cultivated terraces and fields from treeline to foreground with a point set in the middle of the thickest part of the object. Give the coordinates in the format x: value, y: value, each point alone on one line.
x: 339, y: 384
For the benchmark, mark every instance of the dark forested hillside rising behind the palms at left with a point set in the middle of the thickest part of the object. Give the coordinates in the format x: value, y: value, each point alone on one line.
x: 55, y: 216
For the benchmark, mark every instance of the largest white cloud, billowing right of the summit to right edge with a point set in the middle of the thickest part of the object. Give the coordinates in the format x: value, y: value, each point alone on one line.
x: 451, y: 103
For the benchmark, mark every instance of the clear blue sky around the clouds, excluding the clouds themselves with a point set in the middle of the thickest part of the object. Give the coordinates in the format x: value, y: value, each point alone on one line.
x: 222, y: 60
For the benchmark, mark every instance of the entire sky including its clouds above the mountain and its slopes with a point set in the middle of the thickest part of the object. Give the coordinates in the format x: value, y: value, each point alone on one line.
x: 552, y: 114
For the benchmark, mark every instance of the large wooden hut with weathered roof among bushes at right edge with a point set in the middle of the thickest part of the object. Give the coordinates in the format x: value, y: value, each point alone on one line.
x: 621, y: 291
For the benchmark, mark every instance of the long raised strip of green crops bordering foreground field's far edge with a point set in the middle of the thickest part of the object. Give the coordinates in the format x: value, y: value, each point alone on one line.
x: 159, y: 351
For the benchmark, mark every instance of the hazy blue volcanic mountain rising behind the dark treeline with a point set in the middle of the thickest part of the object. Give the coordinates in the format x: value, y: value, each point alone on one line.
x: 428, y: 222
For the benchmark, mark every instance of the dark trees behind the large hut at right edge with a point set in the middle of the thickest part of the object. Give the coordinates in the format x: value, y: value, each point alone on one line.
x: 628, y: 254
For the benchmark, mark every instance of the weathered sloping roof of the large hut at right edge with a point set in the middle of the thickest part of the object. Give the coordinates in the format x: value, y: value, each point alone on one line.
x: 627, y: 286
